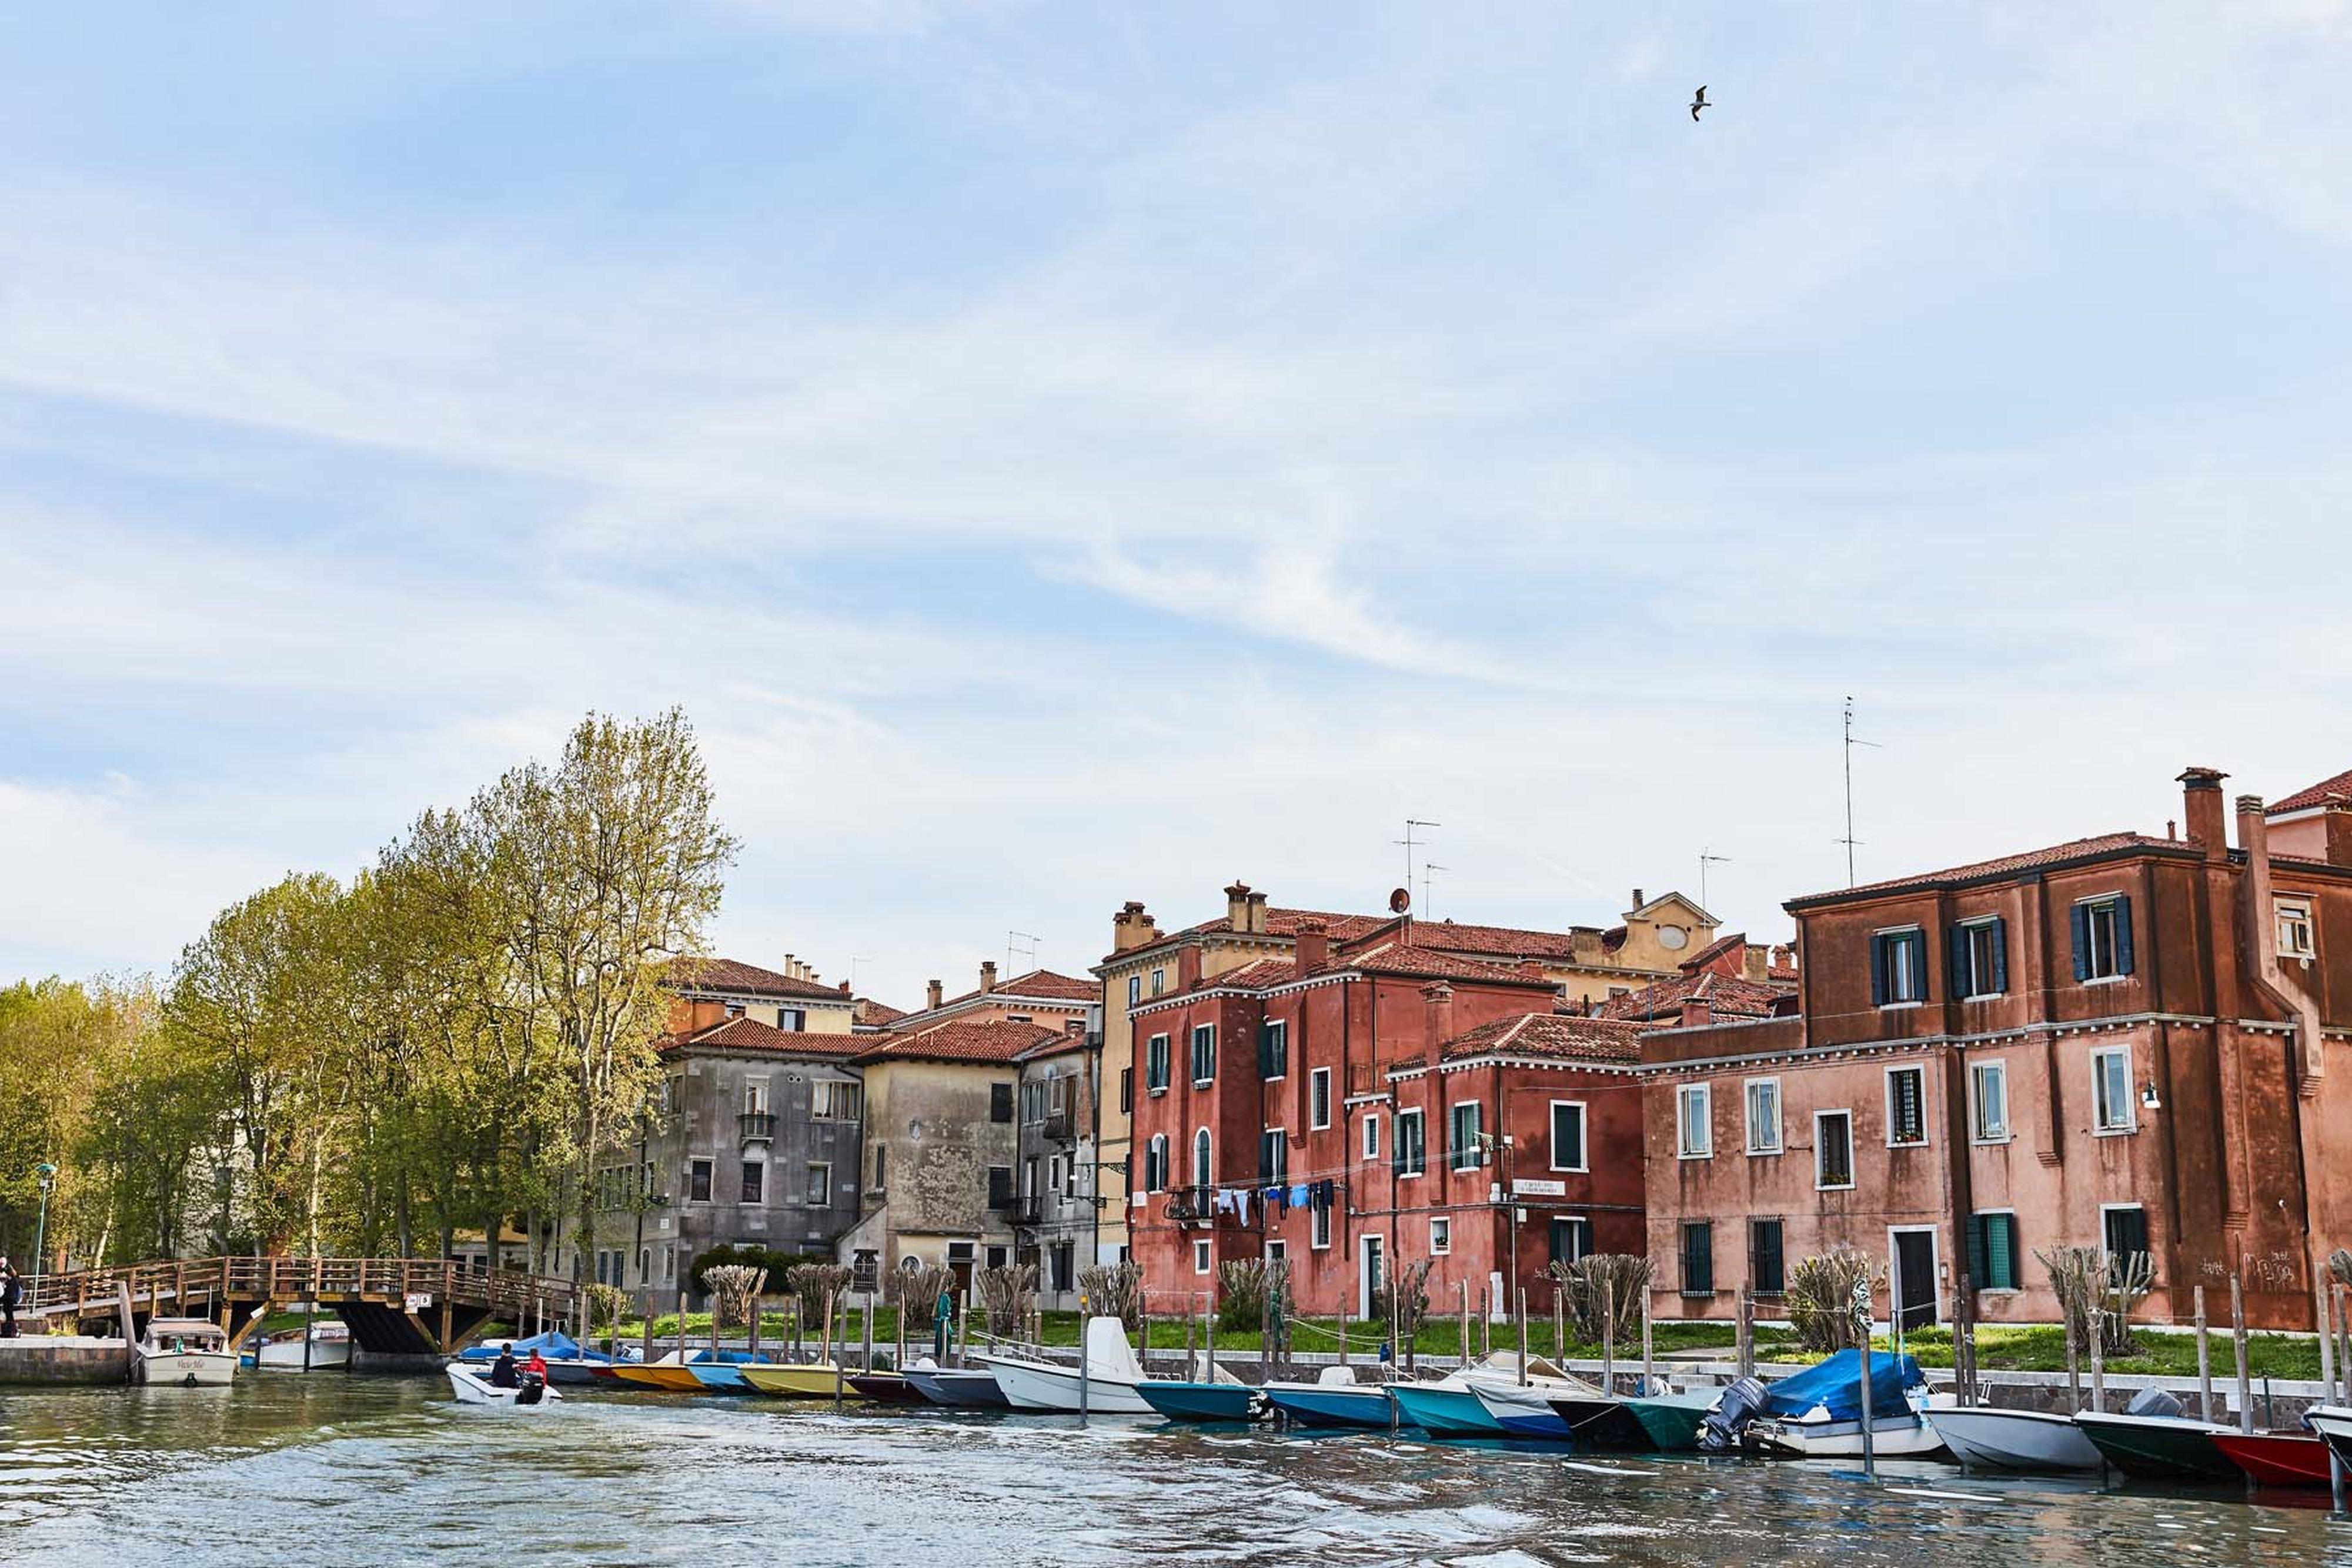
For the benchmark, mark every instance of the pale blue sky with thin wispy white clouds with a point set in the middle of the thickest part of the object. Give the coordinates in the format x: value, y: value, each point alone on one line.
x: 1071, y: 455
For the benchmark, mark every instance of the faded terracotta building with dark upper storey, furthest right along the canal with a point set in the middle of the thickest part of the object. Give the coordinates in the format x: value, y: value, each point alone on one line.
x: 2111, y: 1043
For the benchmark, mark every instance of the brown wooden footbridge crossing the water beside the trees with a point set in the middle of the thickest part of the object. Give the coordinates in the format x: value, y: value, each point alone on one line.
x: 394, y: 1306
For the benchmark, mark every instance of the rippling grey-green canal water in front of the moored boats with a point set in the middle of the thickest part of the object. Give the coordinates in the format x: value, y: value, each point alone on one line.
x: 335, y: 1470
